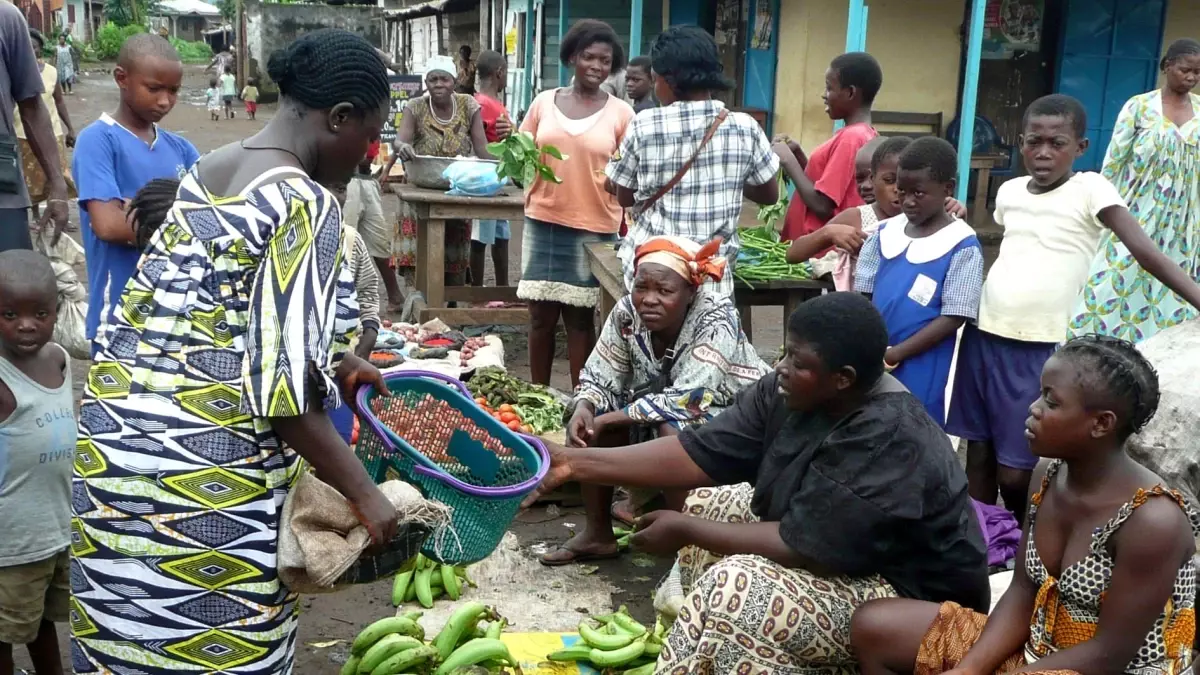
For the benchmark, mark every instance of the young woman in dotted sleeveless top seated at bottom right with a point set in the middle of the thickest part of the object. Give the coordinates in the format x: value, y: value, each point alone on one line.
x: 1106, y: 583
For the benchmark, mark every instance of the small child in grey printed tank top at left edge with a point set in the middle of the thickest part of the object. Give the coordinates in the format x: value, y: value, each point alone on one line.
x: 38, y: 439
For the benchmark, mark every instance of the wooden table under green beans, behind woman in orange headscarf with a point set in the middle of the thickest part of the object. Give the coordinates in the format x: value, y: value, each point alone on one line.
x: 607, y: 268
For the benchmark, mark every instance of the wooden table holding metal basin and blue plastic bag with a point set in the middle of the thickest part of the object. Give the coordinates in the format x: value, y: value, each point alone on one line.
x: 434, y: 210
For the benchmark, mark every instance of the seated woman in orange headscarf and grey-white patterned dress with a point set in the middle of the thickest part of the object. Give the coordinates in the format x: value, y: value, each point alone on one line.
x: 671, y: 356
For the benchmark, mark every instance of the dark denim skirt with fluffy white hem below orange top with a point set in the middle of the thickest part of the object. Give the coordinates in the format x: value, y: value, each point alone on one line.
x: 555, y: 265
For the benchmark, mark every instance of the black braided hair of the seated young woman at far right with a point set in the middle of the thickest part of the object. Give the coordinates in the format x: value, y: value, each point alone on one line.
x: 1115, y: 377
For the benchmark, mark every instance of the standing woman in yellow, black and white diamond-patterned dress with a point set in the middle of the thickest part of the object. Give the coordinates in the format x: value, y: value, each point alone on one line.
x: 212, y: 383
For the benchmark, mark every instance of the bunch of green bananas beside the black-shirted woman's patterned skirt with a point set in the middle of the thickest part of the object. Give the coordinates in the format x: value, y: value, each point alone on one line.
x: 616, y: 643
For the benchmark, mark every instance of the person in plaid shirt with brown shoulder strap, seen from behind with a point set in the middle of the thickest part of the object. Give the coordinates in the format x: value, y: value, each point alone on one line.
x: 737, y: 163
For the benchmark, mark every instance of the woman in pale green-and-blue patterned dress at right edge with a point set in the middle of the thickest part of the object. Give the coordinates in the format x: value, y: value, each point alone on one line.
x: 1154, y: 160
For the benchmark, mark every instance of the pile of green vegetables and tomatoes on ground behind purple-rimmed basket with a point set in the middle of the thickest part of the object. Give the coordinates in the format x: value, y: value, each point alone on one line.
x: 530, y: 409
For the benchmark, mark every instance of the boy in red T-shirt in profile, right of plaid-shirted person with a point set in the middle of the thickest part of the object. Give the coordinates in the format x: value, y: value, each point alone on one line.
x: 825, y: 184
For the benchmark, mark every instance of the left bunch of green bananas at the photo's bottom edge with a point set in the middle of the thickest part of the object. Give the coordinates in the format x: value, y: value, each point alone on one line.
x: 397, y: 646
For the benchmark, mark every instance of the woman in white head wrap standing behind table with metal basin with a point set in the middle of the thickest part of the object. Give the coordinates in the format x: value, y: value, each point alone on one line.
x: 441, y: 124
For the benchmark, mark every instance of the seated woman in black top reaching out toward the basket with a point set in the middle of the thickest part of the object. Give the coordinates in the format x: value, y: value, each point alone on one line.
x: 856, y: 495
